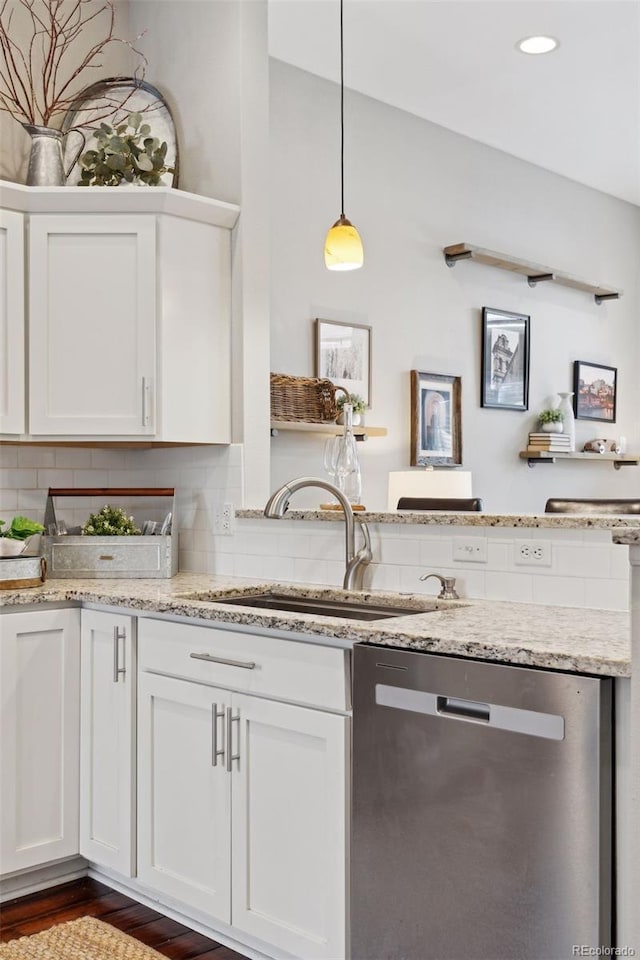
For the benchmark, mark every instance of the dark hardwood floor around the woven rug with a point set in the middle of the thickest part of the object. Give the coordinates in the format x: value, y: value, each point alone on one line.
x: 88, y: 898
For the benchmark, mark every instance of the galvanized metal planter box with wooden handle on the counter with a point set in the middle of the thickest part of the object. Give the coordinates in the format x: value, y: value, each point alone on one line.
x: 73, y: 557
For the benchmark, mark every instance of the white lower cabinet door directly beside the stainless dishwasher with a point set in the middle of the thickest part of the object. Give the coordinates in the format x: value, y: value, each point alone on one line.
x: 289, y: 802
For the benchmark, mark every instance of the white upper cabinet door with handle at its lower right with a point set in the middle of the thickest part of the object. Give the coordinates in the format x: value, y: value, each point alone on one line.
x: 92, y: 325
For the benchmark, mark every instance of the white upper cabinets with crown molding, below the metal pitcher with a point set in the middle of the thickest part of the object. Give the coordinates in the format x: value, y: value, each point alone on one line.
x: 128, y: 327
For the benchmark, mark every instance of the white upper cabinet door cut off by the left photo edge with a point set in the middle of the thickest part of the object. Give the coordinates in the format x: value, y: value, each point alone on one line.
x: 12, y: 332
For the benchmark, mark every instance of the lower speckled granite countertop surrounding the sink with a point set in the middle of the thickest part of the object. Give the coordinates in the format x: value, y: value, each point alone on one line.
x: 561, y: 638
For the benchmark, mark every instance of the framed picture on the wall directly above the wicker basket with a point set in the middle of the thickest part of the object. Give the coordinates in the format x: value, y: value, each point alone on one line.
x: 343, y: 355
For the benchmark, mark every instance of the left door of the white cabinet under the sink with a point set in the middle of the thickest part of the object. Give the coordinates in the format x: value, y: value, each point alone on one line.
x: 184, y: 793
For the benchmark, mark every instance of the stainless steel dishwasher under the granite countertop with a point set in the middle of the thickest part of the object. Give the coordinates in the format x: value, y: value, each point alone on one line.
x: 482, y: 810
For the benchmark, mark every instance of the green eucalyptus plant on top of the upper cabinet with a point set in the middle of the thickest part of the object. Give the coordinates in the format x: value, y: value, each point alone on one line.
x: 126, y: 153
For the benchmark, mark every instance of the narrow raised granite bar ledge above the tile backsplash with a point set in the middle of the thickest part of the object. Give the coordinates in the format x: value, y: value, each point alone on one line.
x: 566, y: 521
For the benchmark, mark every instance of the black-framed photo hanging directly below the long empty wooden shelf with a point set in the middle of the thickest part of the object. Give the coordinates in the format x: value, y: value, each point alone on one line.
x: 505, y: 360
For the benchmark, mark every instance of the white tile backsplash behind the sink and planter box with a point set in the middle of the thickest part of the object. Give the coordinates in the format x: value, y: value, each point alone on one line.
x: 587, y: 569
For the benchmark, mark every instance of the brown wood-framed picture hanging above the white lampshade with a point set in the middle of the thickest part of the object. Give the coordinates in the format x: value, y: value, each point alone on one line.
x: 436, y: 424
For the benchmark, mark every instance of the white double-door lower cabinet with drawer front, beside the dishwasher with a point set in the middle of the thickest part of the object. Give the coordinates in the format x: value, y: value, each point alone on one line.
x: 242, y: 800
